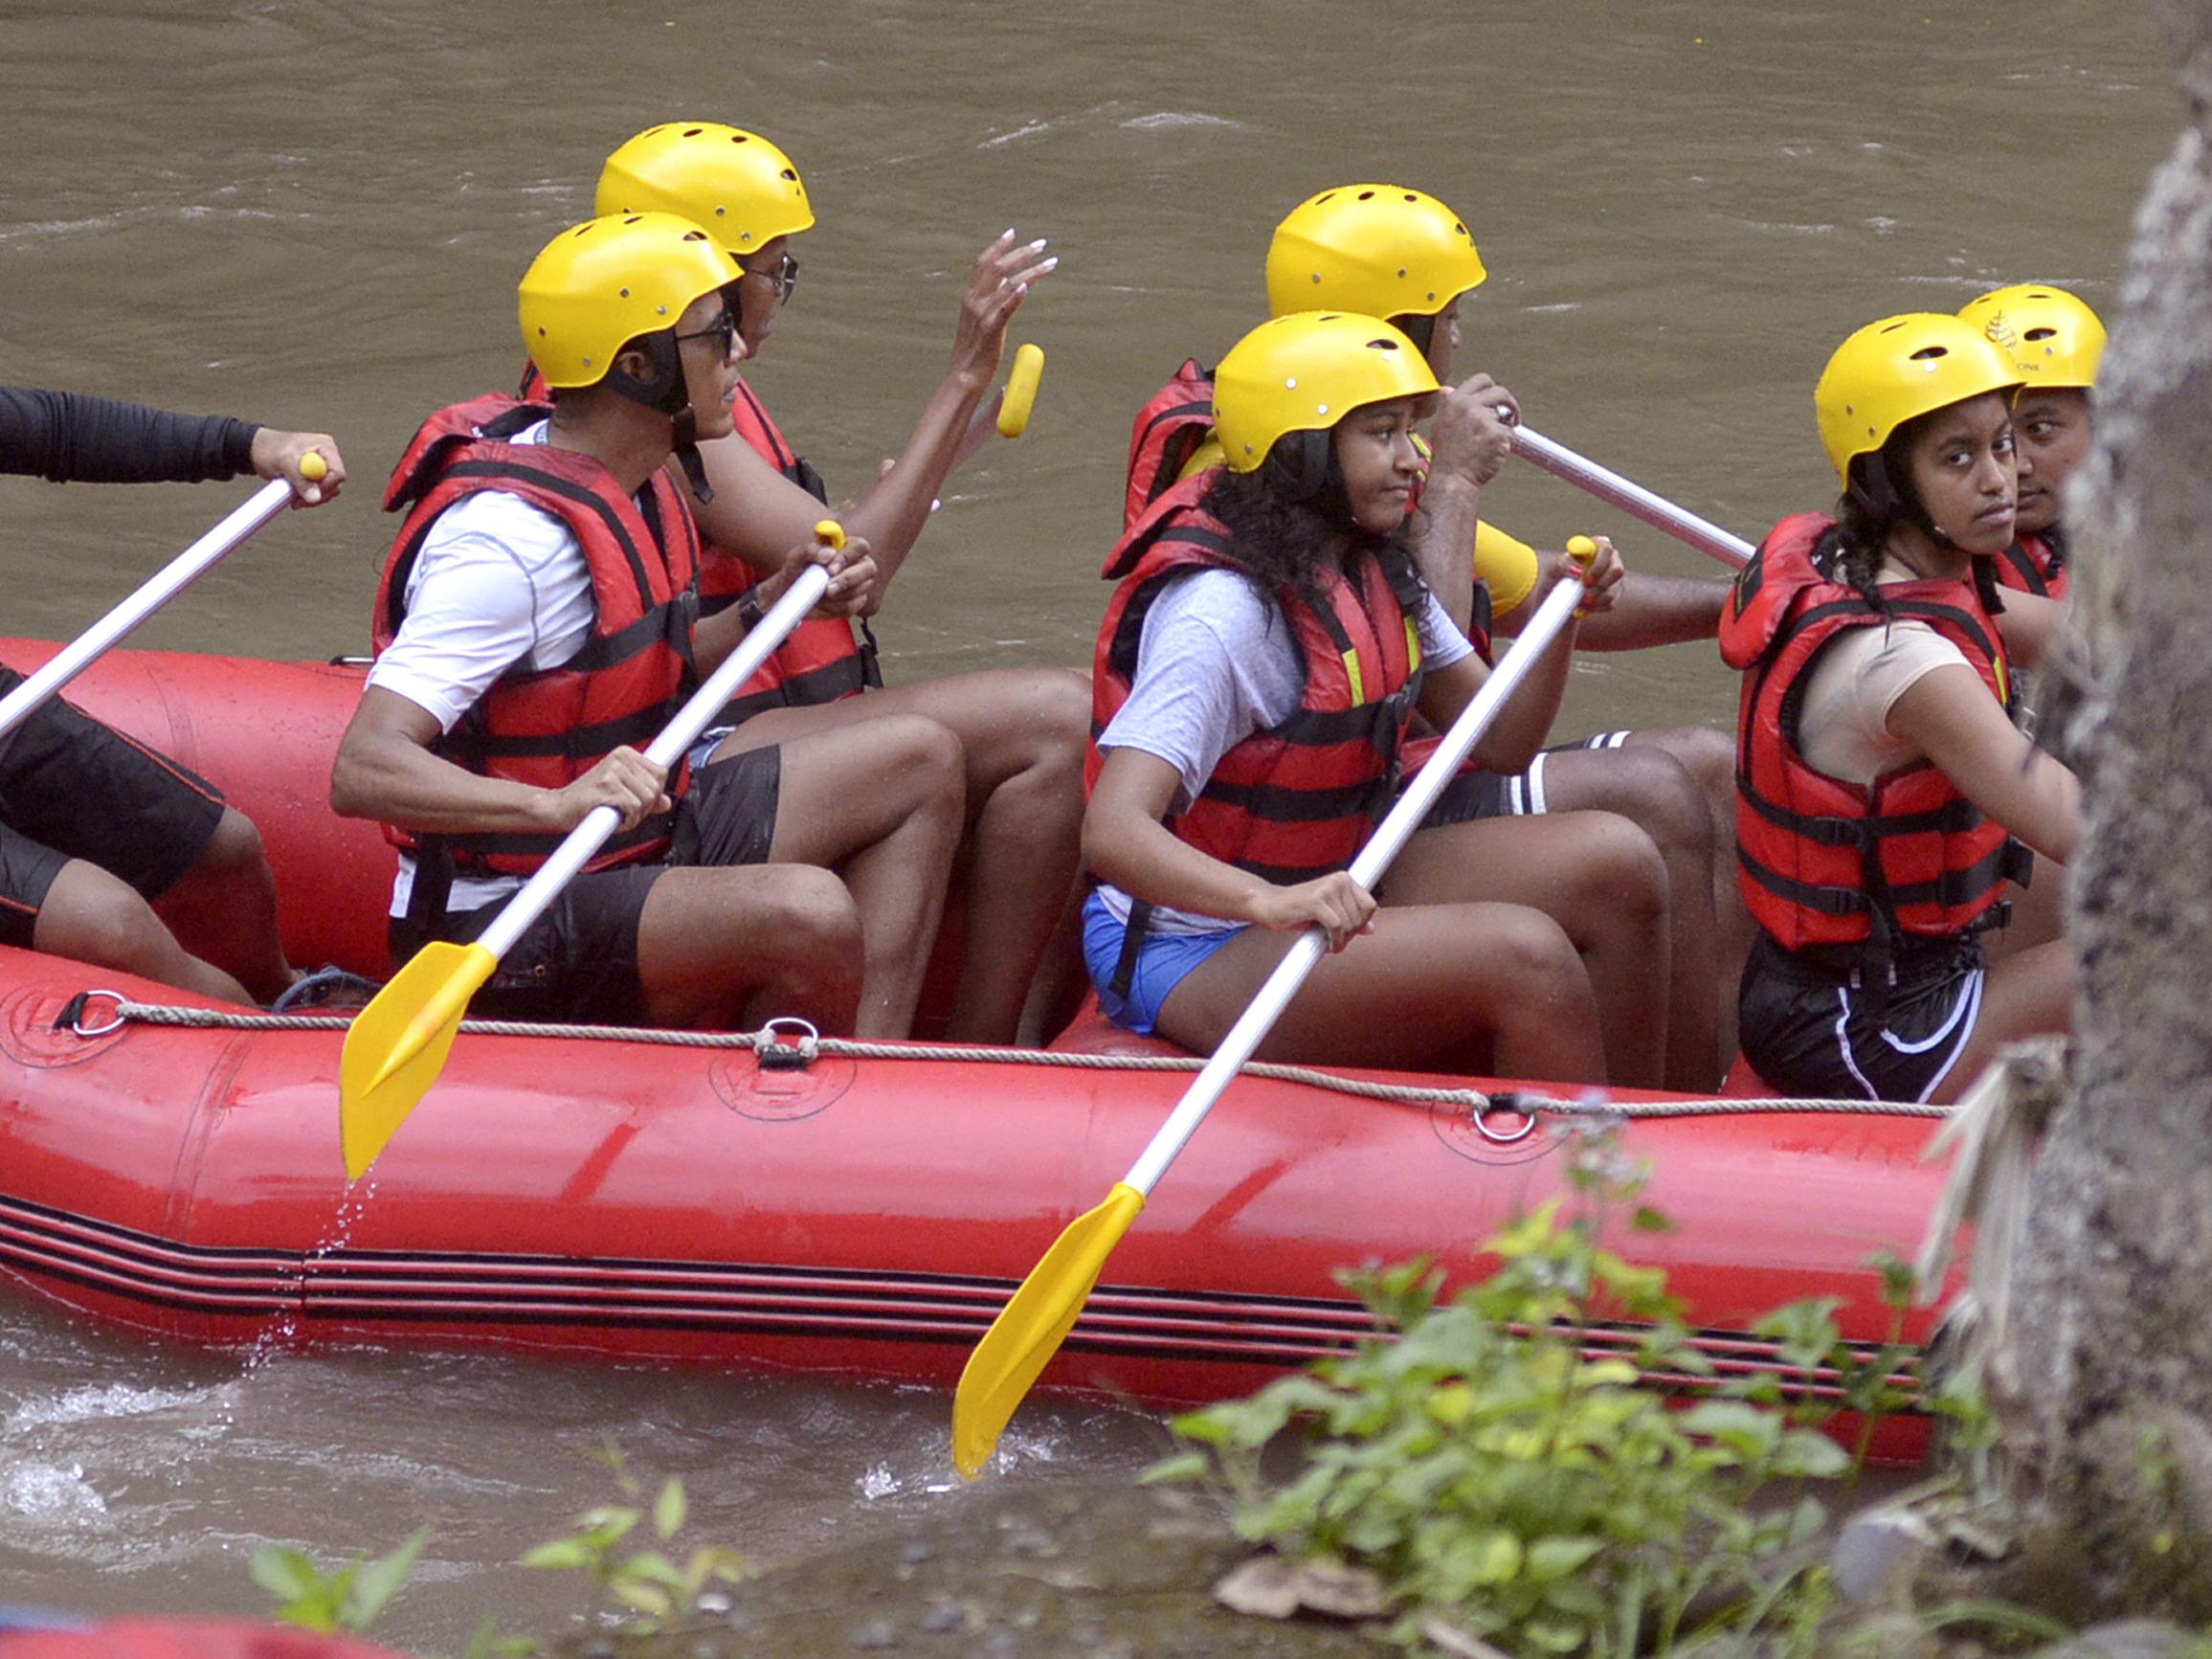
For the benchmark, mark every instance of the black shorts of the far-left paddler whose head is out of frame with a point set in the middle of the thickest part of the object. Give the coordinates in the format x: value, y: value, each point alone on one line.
x: 74, y: 789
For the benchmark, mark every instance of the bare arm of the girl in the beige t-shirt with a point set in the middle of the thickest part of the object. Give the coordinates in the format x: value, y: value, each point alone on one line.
x: 1957, y: 724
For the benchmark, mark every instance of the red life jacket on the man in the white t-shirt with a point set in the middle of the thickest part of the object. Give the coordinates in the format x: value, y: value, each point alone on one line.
x: 554, y: 724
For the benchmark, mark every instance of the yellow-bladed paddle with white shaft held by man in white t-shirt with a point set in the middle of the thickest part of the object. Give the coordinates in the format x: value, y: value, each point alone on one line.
x: 399, y: 1043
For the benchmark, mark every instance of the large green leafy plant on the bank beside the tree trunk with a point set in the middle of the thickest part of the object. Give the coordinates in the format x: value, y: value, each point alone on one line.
x: 1512, y: 1488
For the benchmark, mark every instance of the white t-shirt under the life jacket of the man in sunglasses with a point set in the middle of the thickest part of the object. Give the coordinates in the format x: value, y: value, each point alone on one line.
x: 497, y: 583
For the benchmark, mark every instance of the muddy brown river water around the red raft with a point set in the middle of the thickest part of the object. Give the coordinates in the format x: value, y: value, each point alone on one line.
x: 315, y: 216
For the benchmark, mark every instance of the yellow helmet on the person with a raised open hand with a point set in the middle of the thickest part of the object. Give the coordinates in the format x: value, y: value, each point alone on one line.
x: 724, y: 178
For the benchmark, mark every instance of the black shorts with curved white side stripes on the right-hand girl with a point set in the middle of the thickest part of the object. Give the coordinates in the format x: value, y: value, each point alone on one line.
x: 1817, y: 1032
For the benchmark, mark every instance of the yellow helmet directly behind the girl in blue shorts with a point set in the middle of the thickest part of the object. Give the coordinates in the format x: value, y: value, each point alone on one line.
x: 1373, y: 249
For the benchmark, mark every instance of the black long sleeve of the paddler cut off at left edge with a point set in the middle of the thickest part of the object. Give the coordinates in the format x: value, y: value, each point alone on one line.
x: 101, y: 441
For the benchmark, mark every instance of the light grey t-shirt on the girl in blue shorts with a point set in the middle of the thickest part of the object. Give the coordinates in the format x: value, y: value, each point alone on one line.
x: 1215, y: 665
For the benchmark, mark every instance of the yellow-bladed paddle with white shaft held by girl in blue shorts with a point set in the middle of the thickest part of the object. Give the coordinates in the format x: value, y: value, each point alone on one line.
x: 1032, y: 1326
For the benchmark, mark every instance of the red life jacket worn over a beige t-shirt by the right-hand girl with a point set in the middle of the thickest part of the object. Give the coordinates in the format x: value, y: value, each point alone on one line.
x: 1824, y: 862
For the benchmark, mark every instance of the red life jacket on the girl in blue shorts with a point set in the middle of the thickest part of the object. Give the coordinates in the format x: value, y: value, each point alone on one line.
x: 1295, y: 802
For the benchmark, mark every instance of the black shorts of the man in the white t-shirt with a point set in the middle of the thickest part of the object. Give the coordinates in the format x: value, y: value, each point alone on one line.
x: 578, y: 963
